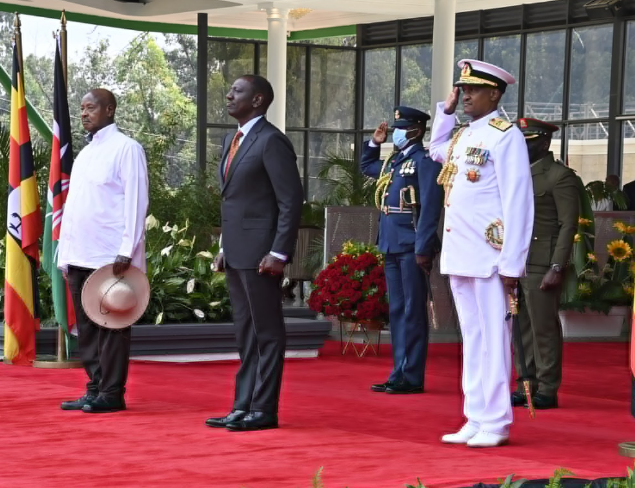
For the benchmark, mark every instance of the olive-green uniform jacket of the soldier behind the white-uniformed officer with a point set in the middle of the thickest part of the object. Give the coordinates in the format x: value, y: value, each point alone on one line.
x: 556, y: 210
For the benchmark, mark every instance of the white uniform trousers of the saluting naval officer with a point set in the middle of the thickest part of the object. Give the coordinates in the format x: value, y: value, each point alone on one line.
x: 482, y: 308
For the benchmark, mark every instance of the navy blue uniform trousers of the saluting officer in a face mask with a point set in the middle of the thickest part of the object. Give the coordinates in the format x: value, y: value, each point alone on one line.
x: 407, y: 292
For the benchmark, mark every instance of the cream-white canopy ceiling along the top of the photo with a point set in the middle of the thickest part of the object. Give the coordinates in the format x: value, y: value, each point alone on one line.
x: 248, y: 14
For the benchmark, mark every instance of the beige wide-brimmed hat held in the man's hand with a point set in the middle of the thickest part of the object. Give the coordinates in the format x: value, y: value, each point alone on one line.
x: 115, y: 302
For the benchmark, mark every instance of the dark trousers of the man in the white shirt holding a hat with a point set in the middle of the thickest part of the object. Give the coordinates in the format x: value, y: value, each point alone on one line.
x: 105, y: 353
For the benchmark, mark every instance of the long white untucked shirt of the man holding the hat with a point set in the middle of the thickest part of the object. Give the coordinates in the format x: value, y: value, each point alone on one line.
x: 107, y: 202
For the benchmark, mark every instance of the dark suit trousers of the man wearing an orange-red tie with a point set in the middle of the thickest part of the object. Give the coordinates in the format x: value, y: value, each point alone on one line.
x: 261, y: 337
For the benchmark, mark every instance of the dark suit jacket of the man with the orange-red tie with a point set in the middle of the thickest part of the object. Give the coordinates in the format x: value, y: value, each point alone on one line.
x: 262, y: 197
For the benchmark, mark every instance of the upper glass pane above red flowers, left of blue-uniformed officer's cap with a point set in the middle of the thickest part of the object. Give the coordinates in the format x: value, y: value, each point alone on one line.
x: 332, y: 88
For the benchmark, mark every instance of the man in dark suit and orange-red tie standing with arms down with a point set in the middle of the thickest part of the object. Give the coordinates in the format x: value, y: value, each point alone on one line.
x: 261, y: 207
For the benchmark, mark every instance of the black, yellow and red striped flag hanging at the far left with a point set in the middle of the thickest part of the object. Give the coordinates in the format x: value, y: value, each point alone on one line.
x: 24, y: 228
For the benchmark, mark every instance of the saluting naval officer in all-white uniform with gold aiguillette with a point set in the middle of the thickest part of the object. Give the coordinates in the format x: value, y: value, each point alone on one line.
x: 487, y: 230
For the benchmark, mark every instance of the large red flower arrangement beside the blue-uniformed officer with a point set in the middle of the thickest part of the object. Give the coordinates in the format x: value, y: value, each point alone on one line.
x: 352, y: 286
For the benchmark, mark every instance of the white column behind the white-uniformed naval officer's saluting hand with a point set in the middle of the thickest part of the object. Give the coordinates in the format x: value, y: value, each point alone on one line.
x: 442, y: 51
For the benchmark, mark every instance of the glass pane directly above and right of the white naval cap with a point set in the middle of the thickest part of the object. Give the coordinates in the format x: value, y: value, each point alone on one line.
x: 505, y: 52
